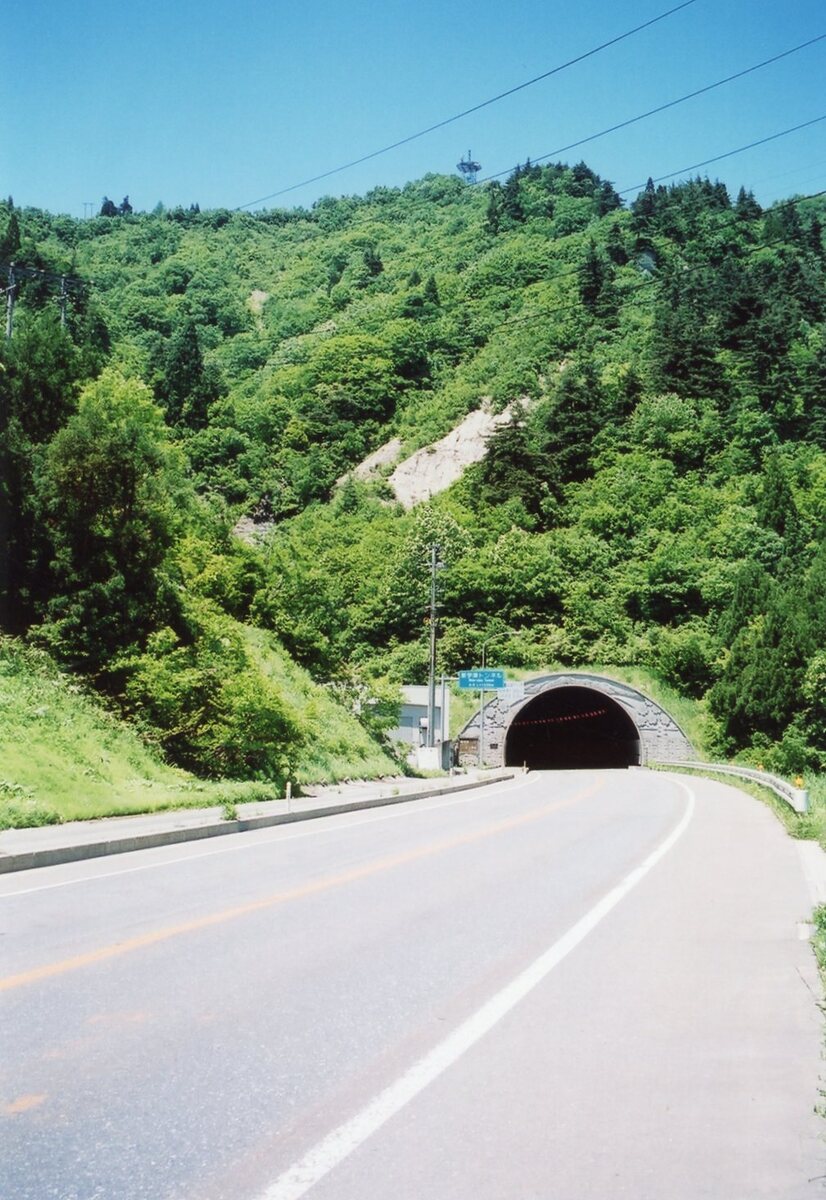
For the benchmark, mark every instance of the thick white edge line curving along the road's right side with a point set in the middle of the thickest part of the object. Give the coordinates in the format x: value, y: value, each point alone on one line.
x: 333, y: 1150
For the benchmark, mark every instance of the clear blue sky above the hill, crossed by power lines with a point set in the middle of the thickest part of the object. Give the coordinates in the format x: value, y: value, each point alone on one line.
x: 222, y: 104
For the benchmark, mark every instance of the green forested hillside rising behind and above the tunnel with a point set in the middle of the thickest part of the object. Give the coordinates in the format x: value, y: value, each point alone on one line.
x: 660, y: 502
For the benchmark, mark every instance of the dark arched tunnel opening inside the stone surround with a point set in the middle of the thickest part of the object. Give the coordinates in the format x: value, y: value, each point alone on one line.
x: 571, y: 728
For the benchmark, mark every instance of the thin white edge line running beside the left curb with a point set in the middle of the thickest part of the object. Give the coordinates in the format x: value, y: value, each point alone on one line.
x: 277, y: 837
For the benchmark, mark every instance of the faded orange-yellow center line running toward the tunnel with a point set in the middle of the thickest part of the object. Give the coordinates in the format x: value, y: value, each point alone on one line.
x: 51, y: 970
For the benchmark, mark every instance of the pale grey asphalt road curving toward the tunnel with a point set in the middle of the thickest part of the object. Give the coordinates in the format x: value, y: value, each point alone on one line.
x: 576, y: 986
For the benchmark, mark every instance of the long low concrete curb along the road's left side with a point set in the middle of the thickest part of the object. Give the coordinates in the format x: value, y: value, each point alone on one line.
x: 53, y: 856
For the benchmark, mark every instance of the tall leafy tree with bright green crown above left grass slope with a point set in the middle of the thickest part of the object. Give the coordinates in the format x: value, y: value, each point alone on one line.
x: 106, y: 493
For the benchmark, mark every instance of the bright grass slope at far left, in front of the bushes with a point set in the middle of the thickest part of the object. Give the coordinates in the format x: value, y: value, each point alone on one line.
x: 64, y: 758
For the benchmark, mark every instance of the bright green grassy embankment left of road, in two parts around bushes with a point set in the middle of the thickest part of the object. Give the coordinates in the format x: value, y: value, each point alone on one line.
x: 64, y: 758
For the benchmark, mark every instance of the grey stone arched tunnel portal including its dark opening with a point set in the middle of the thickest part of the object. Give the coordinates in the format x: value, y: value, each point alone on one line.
x: 574, y: 719
